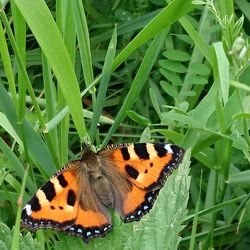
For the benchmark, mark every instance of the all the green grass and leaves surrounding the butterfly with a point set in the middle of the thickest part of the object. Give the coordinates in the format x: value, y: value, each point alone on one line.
x: 126, y: 71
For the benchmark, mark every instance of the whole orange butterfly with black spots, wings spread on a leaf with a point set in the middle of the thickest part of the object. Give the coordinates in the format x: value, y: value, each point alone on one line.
x: 125, y: 177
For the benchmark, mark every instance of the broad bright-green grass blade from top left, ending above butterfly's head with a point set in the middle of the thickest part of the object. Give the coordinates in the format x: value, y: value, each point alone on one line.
x: 39, y: 18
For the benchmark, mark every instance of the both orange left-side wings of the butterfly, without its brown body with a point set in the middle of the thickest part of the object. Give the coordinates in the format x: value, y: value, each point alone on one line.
x: 57, y: 205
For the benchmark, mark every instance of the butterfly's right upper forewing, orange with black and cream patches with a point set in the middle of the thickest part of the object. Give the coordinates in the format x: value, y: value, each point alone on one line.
x: 145, y: 164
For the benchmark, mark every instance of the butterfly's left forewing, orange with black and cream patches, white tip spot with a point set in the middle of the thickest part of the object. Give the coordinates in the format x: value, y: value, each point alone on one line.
x: 55, y: 204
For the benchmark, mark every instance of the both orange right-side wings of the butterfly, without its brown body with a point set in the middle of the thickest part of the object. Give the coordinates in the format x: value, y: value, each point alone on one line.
x: 146, y: 166
